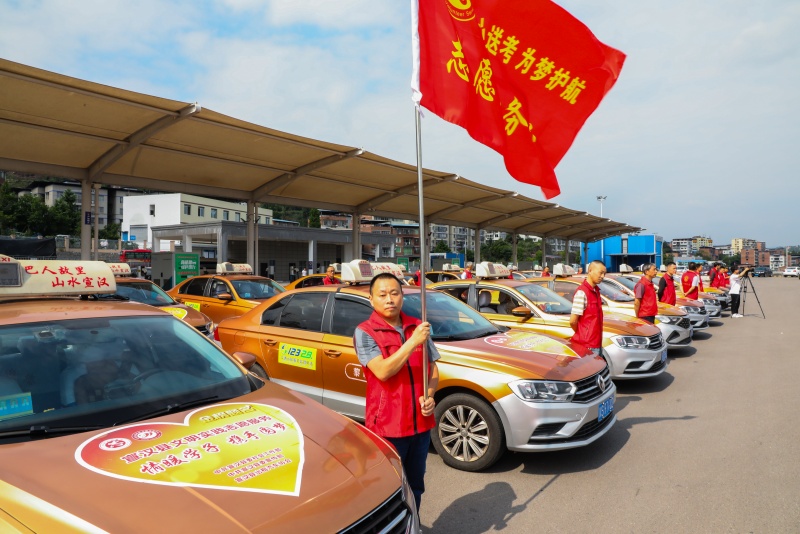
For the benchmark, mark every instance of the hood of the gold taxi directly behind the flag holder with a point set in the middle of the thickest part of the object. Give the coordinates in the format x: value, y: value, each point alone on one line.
x: 523, y: 354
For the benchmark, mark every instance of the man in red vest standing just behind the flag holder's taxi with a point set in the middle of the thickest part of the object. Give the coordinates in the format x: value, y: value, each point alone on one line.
x: 586, y: 318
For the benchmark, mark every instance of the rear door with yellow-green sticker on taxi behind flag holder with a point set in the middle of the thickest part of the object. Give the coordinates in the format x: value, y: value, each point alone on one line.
x: 292, y: 345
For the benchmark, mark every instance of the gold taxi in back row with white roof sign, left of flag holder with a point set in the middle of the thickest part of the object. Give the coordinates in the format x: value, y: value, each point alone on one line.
x: 231, y: 292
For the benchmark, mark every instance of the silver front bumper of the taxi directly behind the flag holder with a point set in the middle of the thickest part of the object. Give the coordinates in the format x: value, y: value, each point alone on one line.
x: 552, y: 426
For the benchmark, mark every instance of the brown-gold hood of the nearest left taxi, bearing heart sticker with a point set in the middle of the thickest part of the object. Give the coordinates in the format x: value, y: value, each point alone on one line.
x: 110, y: 479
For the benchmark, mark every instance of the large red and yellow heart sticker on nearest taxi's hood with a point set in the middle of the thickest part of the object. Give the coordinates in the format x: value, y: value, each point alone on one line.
x: 232, y: 446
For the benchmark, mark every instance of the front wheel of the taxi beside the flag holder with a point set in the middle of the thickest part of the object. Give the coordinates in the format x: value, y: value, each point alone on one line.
x: 468, y: 434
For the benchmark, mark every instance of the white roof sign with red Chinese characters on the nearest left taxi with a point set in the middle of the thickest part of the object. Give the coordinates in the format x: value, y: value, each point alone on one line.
x: 54, y: 277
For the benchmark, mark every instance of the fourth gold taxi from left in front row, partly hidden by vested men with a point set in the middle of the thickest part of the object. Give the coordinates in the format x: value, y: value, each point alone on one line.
x: 672, y: 321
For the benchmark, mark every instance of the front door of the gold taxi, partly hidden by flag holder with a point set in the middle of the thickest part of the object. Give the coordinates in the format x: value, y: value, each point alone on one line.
x: 345, y: 385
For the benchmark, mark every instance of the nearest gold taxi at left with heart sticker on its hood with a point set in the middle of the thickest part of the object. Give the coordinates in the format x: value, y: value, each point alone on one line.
x: 122, y: 404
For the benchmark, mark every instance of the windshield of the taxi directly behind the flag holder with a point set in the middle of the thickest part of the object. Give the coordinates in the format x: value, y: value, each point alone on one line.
x: 450, y: 318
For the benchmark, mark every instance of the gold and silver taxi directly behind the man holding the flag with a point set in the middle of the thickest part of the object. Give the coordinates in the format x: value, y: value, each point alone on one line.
x: 498, y: 388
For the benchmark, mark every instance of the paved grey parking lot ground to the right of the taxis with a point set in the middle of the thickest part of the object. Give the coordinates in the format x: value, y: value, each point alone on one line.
x: 712, y: 445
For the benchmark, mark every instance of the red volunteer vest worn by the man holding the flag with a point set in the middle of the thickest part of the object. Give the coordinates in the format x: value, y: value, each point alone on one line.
x: 393, y: 408
